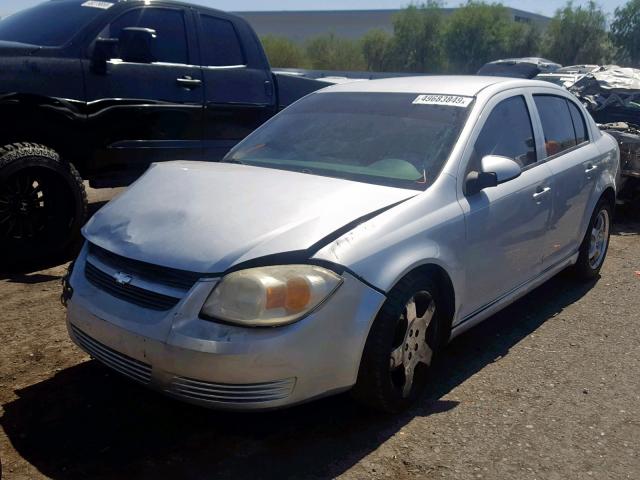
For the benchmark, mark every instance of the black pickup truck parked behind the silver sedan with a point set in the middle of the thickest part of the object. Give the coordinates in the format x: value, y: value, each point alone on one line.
x: 98, y: 90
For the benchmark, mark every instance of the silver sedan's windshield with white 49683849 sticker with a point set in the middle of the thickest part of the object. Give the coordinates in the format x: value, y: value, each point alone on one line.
x: 393, y: 139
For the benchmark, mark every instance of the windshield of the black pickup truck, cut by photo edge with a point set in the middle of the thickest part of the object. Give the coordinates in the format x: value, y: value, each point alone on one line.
x: 50, y: 24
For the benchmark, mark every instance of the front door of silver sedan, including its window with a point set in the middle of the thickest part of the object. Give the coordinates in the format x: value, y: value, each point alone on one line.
x: 506, y: 225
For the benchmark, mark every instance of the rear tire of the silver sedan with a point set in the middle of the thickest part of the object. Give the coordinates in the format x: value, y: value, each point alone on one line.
x: 587, y: 268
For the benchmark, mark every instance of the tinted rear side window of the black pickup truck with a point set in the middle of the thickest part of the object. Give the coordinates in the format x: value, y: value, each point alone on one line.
x: 220, y: 44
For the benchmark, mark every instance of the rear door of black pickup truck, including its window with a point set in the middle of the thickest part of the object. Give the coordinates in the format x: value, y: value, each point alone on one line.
x: 239, y: 90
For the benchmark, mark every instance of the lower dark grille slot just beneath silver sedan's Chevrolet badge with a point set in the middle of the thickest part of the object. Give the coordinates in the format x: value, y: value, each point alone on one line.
x: 130, y: 293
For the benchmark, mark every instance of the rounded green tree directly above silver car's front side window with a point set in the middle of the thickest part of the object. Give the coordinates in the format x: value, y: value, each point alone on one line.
x: 478, y: 33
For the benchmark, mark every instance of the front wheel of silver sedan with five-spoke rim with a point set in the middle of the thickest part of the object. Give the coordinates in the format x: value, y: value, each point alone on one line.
x: 401, y: 345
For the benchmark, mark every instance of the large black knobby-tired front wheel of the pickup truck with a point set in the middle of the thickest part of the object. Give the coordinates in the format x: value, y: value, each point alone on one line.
x: 43, y: 204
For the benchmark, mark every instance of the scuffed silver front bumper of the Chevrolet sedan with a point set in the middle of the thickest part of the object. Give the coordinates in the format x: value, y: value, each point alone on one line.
x: 222, y: 366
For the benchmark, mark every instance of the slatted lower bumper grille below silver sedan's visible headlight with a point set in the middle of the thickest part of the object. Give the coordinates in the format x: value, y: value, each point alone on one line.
x: 205, y: 392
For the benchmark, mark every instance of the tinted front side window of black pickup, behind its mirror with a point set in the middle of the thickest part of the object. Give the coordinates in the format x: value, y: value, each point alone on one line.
x: 171, y: 41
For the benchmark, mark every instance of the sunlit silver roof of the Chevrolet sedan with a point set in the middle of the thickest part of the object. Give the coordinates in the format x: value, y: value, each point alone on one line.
x: 465, y: 85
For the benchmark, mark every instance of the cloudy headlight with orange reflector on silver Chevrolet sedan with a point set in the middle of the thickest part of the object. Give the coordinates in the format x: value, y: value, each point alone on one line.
x: 270, y: 296
